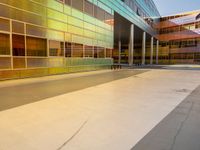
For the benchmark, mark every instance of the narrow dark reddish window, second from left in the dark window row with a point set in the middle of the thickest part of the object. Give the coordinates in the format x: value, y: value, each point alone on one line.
x: 18, y: 43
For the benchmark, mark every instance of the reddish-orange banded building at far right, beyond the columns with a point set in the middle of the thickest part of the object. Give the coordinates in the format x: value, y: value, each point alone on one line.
x: 180, y: 38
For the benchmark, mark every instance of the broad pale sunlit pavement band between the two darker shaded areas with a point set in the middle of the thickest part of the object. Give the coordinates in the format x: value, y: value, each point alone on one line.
x: 113, y: 115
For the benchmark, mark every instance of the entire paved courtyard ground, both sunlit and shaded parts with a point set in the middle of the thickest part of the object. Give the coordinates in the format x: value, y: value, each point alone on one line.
x: 124, y: 109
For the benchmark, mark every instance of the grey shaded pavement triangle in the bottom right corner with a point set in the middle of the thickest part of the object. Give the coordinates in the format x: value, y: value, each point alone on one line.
x: 180, y: 130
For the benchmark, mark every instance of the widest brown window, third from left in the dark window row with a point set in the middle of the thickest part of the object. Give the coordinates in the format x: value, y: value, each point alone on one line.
x: 36, y: 46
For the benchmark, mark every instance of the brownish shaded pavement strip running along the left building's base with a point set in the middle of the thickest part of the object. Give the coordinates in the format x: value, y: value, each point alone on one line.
x: 25, y: 91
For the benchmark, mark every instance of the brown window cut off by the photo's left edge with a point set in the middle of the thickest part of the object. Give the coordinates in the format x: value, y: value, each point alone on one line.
x: 4, y: 44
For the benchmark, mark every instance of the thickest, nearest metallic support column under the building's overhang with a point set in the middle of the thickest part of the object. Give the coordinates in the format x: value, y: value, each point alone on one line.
x: 131, y: 45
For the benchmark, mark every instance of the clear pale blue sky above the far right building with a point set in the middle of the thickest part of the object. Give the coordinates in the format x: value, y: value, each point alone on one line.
x: 170, y: 7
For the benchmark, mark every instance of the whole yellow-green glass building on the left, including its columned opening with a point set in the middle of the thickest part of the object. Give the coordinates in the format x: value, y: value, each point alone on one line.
x: 42, y: 37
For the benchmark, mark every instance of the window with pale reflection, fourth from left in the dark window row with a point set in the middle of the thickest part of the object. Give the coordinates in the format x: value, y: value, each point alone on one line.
x: 56, y: 48
